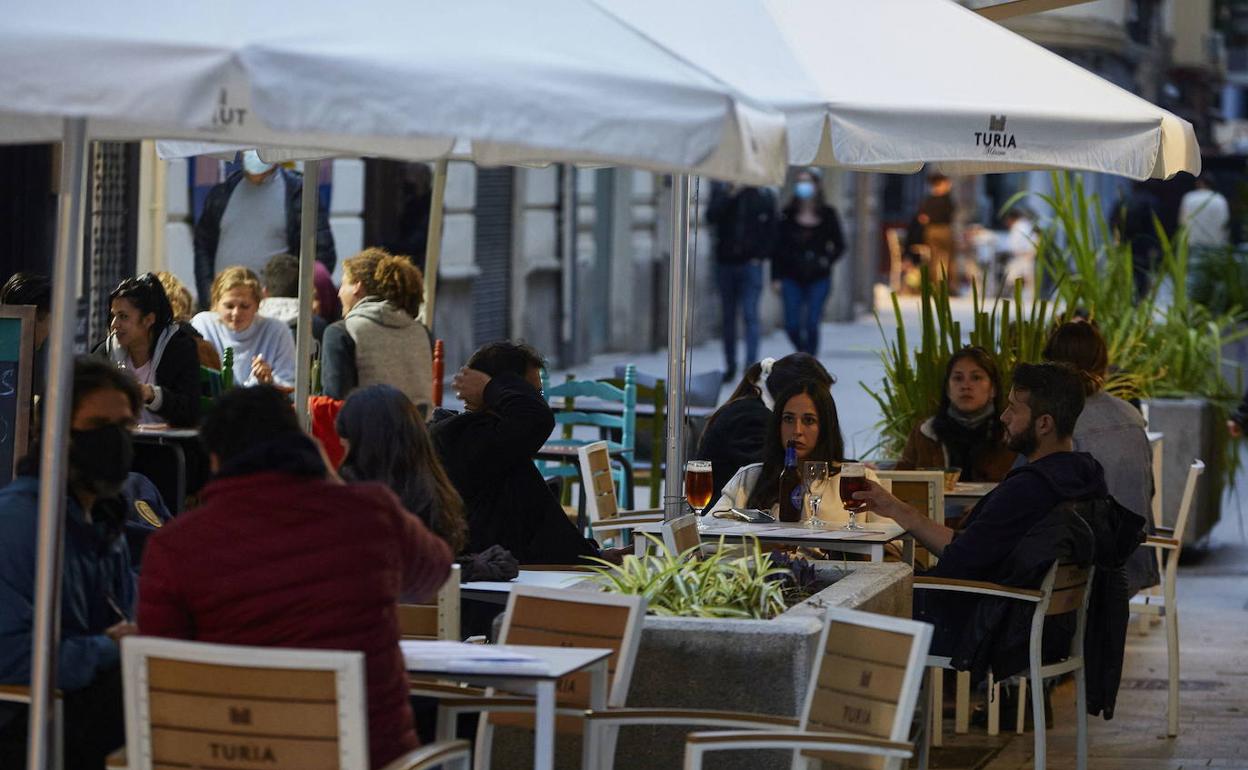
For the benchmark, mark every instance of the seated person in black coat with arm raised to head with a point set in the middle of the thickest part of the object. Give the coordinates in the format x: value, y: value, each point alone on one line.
x: 489, y: 454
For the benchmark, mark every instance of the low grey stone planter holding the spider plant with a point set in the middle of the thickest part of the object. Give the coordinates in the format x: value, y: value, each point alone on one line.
x: 741, y: 666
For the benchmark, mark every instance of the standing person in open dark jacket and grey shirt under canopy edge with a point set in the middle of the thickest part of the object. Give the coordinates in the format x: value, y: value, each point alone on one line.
x: 253, y: 217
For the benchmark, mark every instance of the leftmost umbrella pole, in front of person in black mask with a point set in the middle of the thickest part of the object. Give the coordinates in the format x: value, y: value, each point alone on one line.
x: 51, y: 545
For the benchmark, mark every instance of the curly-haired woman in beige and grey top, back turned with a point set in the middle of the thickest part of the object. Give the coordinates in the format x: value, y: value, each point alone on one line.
x: 379, y: 340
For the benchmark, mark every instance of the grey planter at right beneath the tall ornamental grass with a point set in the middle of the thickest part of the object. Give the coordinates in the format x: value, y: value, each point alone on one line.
x: 1191, y: 427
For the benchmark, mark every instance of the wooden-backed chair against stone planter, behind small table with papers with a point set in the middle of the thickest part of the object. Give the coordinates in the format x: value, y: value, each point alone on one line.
x: 560, y: 618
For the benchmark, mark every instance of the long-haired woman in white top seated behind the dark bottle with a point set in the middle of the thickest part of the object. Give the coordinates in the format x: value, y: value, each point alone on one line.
x: 806, y: 415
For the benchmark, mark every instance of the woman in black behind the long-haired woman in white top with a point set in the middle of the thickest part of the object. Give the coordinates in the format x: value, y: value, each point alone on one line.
x: 736, y: 434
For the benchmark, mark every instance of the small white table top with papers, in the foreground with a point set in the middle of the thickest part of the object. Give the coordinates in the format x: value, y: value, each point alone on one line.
x: 505, y: 661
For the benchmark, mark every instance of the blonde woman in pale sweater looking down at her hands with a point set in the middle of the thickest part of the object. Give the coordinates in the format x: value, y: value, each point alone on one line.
x: 264, y: 351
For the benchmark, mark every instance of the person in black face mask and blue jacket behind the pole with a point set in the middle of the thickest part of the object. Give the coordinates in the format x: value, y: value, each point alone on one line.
x: 98, y: 591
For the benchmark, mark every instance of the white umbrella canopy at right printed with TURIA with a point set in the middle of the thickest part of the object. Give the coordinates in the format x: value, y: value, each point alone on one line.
x: 867, y: 85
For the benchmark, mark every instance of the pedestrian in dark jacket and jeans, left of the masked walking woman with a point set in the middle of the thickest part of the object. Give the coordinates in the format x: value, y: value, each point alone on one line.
x: 746, y: 223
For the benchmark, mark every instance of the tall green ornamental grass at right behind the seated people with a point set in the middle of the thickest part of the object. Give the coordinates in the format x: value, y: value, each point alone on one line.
x: 1158, y: 349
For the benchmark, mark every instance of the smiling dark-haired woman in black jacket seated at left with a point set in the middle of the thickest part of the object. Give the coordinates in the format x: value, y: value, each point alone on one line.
x: 158, y: 353
